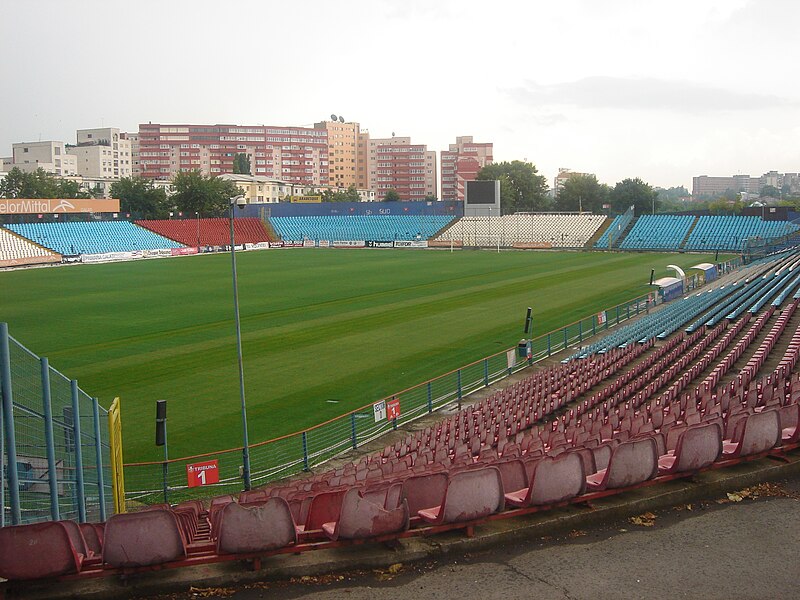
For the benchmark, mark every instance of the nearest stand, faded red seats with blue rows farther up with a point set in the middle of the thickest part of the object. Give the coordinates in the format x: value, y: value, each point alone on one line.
x: 635, y: 415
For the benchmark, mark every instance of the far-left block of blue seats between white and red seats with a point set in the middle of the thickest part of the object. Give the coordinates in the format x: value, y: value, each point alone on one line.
x: 95, y: 237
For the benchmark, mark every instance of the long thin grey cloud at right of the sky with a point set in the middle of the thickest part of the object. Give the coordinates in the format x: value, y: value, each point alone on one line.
x: 644, y: 94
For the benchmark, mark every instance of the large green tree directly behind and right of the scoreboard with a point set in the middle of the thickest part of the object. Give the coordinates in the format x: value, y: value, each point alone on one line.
x: 521, y: 187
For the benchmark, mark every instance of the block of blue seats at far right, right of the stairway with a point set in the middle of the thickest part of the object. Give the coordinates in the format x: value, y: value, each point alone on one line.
x: 729, y: 233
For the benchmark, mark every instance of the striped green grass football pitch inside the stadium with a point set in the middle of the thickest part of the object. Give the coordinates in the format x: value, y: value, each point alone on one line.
x: 323, y: 331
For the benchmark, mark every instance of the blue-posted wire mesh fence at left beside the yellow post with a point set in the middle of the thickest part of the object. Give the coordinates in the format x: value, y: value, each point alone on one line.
x: 53, y: 440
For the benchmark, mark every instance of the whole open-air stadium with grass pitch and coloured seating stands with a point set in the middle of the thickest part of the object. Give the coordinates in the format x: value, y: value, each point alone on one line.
x: 385, y: 391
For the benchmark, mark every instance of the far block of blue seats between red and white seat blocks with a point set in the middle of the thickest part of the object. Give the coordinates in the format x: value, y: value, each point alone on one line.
x: 359, y: 227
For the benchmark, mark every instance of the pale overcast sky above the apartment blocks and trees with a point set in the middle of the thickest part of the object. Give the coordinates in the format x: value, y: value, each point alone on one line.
x: 622, y: 88
